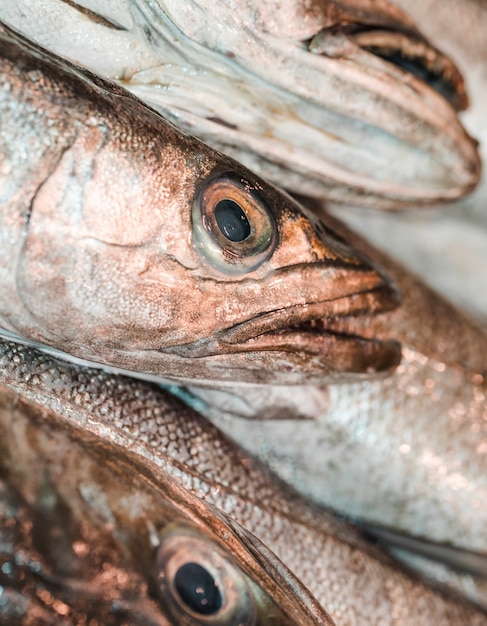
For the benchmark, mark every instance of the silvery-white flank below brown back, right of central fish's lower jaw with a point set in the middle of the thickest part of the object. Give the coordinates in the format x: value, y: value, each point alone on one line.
x: 425, y: 460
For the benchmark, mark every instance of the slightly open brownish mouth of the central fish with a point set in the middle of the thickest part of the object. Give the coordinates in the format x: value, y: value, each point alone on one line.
x: 328, y: 338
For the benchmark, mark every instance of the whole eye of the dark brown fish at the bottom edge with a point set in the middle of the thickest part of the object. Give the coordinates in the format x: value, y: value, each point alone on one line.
x: 200, y: 583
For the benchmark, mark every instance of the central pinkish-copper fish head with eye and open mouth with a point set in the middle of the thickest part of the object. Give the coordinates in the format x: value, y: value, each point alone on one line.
x: 143, y: 249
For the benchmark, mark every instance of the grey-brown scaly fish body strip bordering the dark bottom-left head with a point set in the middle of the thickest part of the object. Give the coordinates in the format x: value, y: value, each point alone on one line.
x: 356, y: 584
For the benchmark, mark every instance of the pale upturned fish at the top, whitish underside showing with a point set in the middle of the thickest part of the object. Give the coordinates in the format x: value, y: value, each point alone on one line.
x: 339, y: 99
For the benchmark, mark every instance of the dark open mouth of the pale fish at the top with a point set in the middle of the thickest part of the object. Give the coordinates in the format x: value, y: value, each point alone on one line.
x: 407, y: 50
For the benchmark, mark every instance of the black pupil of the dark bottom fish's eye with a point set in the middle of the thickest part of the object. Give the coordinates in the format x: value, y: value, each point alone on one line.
x: 197, y: 589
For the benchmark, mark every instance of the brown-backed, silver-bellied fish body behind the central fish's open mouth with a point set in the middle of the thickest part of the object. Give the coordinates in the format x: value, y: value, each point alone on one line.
x: 408, y: 452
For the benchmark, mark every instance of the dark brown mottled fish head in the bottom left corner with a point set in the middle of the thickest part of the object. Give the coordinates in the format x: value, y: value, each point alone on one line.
x: 88, y: 535
